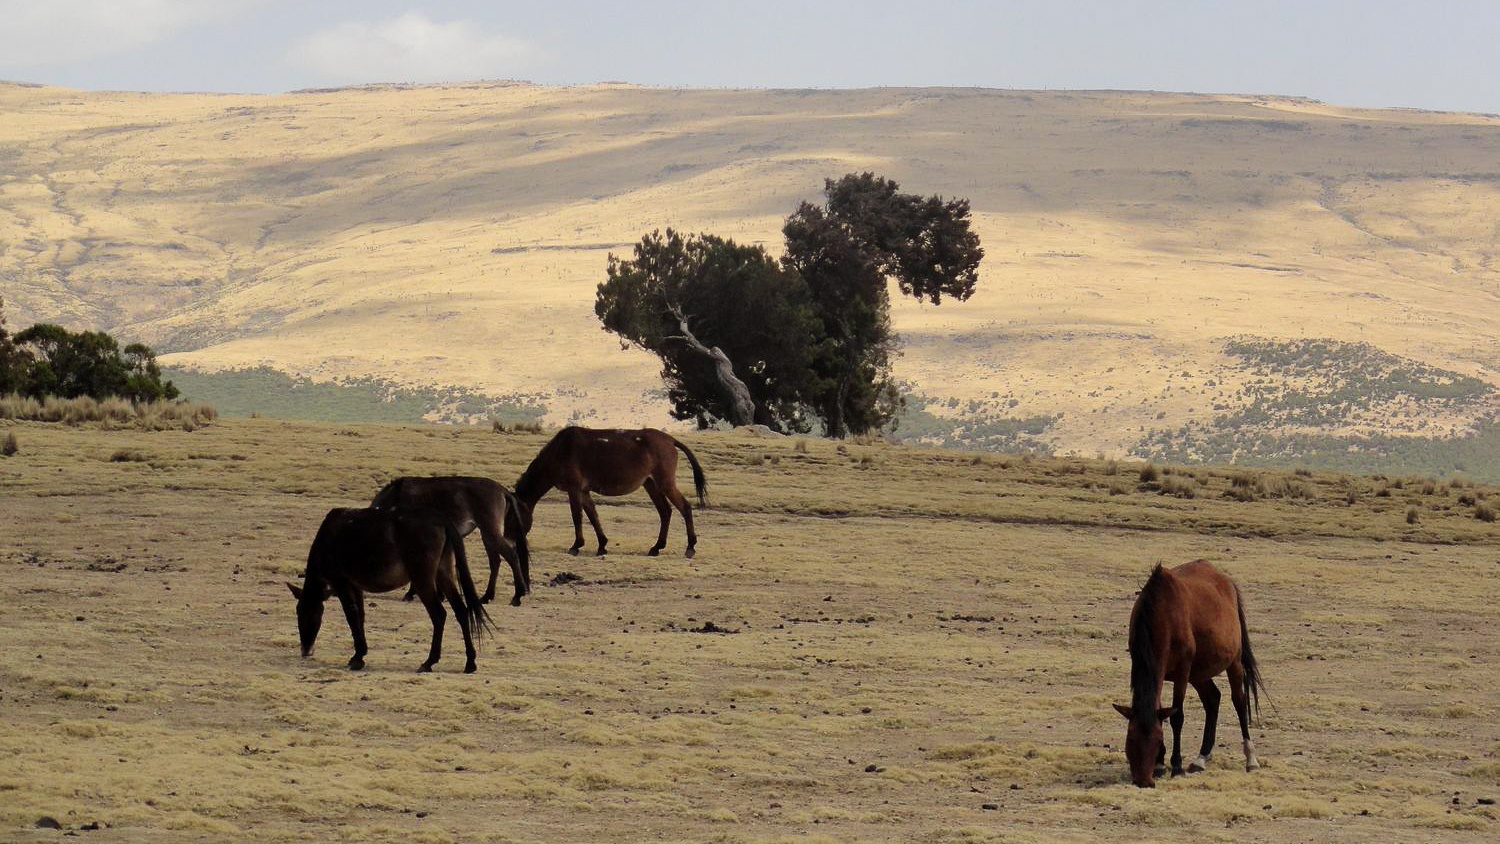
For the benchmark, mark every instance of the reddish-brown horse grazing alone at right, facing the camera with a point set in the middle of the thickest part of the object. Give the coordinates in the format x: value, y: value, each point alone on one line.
x: 1189, y: 626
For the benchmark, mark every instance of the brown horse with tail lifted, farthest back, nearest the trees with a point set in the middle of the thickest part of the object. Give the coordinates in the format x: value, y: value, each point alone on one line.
x: 581, y: 461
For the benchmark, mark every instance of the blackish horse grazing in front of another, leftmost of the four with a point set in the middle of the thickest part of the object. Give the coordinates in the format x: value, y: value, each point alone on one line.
x: 377, y: 551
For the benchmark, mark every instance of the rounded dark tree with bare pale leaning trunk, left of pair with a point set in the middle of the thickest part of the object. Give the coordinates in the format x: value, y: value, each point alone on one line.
x: 736, y: 331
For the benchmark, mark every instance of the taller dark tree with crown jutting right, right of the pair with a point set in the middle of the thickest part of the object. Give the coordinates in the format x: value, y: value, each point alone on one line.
x: 847, y: 251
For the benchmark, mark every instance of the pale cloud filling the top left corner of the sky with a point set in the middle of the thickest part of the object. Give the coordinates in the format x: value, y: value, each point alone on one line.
x: 38, y: 34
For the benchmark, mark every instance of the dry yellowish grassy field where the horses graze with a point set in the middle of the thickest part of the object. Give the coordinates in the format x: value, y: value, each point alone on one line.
x: 914, y: 636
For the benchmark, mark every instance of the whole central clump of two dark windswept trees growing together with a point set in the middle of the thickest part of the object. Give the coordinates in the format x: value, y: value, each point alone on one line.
x: 745, y: 338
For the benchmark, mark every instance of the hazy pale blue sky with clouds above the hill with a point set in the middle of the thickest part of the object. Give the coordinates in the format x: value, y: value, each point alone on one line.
x: 1429, y: 55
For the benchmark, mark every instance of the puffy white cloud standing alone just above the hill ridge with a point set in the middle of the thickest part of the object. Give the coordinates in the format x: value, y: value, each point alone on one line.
x: 413, y: 49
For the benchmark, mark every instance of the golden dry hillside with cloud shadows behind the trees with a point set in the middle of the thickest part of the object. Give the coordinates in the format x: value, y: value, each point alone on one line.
x: 1154, y: 260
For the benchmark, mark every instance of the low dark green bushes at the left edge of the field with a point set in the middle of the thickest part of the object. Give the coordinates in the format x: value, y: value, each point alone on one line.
x: 50, y: 361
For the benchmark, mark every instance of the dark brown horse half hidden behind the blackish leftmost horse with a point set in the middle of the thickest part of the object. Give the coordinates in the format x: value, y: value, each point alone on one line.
x: 467, y: 504
